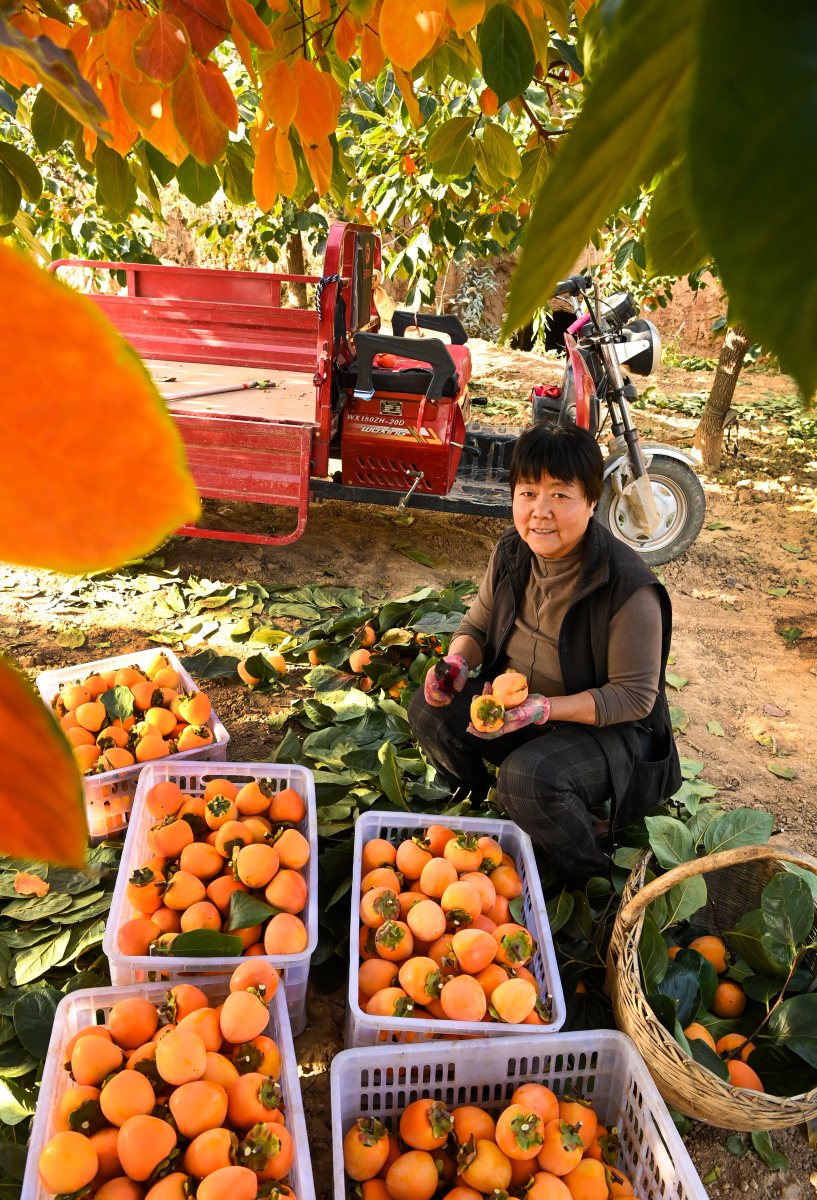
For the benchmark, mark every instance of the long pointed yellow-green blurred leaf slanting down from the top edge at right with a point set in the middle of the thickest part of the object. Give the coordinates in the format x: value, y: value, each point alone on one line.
x: 615, y: 145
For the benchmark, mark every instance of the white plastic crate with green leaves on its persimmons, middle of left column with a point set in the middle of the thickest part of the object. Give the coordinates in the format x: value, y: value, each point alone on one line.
x: 194, y: 778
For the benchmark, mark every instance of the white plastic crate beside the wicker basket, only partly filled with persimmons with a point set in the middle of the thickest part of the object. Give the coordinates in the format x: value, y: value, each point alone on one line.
x: 604, y: 1065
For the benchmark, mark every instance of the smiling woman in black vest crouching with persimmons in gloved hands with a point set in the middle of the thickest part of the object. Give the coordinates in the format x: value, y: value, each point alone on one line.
x: 590, y: 626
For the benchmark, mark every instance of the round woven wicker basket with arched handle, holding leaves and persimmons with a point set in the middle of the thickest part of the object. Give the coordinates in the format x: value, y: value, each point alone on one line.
x: 738, y: 878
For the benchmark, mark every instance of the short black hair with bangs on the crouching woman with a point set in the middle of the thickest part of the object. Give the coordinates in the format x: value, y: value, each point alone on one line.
x: 567, y: 453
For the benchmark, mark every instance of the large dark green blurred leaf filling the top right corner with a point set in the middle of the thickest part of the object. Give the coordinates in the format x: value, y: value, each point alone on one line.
x: 762, y: 237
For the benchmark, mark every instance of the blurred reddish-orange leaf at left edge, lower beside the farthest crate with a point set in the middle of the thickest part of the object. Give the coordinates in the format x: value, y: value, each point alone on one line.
x: 43, y: 808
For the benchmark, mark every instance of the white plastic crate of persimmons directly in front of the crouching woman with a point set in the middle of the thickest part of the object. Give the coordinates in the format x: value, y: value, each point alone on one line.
x: 365, y: 1030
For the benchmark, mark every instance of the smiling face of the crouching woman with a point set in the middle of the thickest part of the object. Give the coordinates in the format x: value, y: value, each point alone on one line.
x: 551, y: 517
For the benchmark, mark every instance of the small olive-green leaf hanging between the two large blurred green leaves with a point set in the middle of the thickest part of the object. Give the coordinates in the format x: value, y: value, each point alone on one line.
x: 672, y: 237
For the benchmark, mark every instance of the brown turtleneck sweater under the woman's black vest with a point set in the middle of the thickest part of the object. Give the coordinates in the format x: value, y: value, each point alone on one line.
x: 634, y: 658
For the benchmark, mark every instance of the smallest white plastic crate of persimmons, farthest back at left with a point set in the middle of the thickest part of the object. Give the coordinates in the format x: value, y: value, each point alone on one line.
x: 109, y: 797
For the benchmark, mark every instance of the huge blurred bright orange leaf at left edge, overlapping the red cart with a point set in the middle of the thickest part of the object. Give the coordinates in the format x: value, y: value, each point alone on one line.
x: 75, y: 393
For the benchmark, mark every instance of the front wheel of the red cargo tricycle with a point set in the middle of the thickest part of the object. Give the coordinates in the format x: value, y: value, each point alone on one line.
x: 681, y: 501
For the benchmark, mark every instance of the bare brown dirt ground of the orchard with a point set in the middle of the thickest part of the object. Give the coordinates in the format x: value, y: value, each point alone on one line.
x: 741, y: 671
